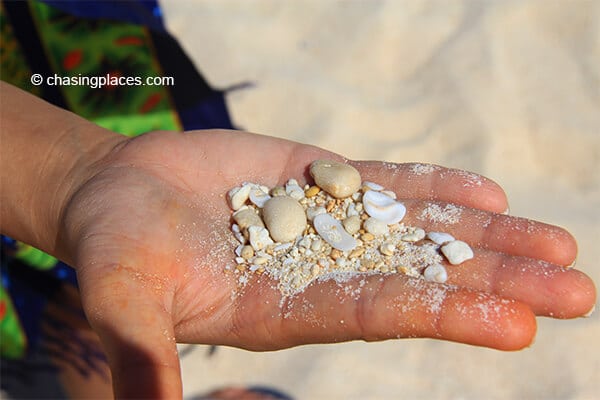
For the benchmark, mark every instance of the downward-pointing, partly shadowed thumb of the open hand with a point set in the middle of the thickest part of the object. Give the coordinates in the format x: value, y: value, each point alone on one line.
x: 136, y: 331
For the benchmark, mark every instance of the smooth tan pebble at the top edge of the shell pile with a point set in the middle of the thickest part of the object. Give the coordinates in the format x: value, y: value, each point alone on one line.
x: 338, y: 179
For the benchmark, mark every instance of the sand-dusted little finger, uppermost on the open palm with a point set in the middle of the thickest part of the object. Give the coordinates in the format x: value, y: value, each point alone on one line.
x: 431, y: 182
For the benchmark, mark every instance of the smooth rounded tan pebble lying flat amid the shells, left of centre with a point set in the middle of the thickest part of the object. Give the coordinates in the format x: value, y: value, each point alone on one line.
x: 284, y: 218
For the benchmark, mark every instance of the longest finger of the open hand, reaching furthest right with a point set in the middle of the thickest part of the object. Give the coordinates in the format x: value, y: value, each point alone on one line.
x: 549, y: 289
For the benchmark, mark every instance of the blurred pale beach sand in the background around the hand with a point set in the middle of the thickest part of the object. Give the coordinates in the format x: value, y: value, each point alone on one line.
x: 508, y: 89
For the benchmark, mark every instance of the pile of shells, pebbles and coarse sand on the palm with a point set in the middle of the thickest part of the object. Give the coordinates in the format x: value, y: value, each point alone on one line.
x: 340, y: 225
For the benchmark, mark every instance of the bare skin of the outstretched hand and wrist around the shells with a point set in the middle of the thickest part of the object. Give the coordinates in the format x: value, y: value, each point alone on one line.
x: 143, y: 221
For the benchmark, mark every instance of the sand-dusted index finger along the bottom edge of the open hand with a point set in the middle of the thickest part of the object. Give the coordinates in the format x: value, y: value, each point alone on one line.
x: 376, y: 308
